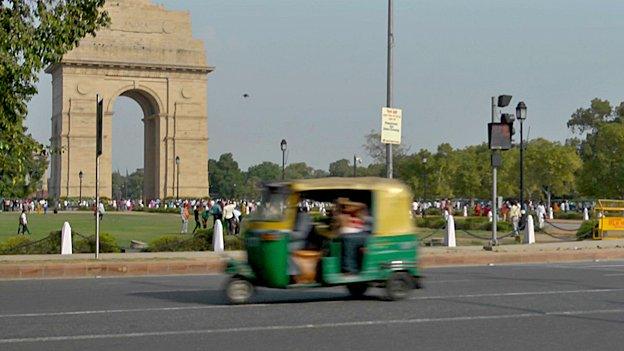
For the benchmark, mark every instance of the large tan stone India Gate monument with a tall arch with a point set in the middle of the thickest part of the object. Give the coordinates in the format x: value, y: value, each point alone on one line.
x: 147, y: 54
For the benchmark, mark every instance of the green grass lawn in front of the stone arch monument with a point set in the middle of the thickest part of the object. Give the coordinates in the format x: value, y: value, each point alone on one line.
x: 124, y: 226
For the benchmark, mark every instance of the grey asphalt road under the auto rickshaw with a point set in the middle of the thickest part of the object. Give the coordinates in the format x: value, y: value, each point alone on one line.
x: 531, y: 307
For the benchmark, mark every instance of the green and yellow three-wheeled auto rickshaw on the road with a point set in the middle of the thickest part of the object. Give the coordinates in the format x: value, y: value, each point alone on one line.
x: 289, y: 247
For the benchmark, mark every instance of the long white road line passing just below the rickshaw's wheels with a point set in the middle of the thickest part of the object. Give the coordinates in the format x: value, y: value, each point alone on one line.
x: 205, y: 307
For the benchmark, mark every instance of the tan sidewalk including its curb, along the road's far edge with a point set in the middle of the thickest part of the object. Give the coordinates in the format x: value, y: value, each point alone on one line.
x: 163, y: 263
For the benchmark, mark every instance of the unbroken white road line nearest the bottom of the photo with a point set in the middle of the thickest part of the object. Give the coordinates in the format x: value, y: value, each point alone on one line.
x: 304, y: 326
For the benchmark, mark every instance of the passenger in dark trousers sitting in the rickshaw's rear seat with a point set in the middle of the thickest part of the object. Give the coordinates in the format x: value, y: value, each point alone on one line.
x: 352, y: 224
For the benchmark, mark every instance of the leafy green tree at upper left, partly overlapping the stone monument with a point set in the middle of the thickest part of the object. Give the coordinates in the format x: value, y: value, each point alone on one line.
x: 33, y: 35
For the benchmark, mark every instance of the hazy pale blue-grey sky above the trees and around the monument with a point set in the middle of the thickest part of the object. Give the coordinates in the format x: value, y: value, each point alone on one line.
x: 316, y: 72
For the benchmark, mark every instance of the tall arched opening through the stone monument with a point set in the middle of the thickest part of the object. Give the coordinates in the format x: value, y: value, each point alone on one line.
x: 133, y: 139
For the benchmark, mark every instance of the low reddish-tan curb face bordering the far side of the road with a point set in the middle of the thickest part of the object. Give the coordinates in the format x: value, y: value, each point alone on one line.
x: 118, y: 267
